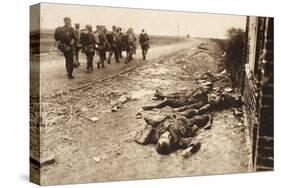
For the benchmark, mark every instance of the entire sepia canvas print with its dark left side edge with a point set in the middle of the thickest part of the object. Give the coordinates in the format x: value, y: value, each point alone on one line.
x: 127, y: 94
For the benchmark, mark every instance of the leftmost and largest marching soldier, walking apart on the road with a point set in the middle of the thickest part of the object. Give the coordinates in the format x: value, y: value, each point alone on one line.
x: 67, y: 38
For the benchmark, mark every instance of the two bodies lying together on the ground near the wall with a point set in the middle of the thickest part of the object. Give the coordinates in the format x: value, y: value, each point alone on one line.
x: 175, y: 130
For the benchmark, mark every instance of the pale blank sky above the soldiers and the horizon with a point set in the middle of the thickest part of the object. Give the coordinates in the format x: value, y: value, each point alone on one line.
x: 155, y: 22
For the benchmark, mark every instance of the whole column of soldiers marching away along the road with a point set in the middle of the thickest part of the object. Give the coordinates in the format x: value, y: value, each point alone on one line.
x: 72, y: 40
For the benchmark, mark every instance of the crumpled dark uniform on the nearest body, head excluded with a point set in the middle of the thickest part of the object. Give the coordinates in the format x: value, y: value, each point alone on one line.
x: 179, y: 128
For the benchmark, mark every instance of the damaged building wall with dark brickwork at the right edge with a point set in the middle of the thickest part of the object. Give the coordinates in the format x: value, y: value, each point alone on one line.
x: 258, y: 90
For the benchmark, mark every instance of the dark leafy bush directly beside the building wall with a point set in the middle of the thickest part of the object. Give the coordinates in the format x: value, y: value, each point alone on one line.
x: 234, y: 54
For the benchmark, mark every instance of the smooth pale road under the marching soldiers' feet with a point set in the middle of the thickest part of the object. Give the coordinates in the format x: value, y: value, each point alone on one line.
x: 53, y: 73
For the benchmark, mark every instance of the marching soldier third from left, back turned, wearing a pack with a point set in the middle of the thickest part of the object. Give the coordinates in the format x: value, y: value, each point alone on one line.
x: 88, y: 45
